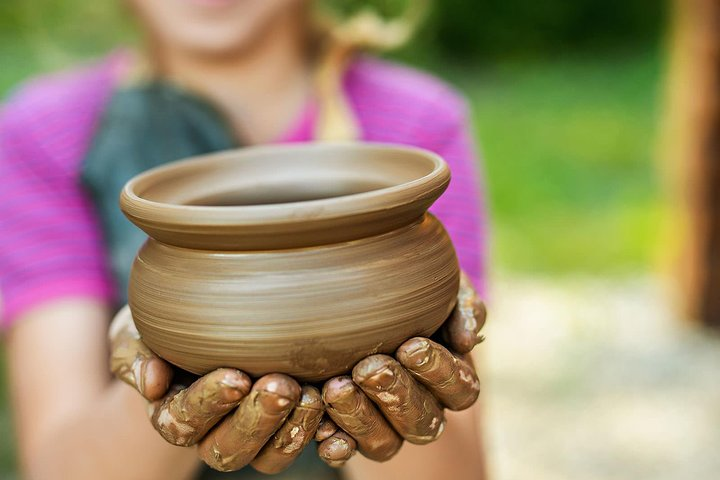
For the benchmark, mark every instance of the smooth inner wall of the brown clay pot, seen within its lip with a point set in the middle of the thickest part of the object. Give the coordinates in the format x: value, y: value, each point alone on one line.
x: 286, y: 176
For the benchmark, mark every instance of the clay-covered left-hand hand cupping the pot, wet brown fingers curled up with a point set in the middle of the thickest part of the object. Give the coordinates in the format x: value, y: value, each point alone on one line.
x: 266, y: 424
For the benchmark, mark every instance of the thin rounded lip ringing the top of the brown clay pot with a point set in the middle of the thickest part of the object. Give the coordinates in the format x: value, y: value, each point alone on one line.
x: 136, y: 207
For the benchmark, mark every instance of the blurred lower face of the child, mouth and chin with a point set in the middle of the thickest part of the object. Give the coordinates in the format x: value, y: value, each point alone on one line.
x: 213, y: 26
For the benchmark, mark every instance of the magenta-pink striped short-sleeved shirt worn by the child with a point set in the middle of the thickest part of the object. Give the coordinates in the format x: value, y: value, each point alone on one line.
x: 50, y: 240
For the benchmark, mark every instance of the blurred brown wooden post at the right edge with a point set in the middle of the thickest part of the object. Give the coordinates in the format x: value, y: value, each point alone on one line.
x: 692, y: 152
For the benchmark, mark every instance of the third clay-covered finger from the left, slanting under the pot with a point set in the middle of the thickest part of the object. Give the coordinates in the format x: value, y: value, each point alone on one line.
x: 235, y: 441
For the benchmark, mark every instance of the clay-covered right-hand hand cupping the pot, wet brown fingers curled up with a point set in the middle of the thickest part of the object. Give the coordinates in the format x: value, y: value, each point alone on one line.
x: 391, y: 399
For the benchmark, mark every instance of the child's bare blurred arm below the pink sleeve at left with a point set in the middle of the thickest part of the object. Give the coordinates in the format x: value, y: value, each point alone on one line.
x: 72, y: 420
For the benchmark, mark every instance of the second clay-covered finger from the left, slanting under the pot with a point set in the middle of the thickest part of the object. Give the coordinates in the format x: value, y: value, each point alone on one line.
x: 186, y: 415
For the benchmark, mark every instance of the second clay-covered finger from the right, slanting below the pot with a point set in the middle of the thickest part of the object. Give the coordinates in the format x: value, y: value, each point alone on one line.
x: 451, y: 379
